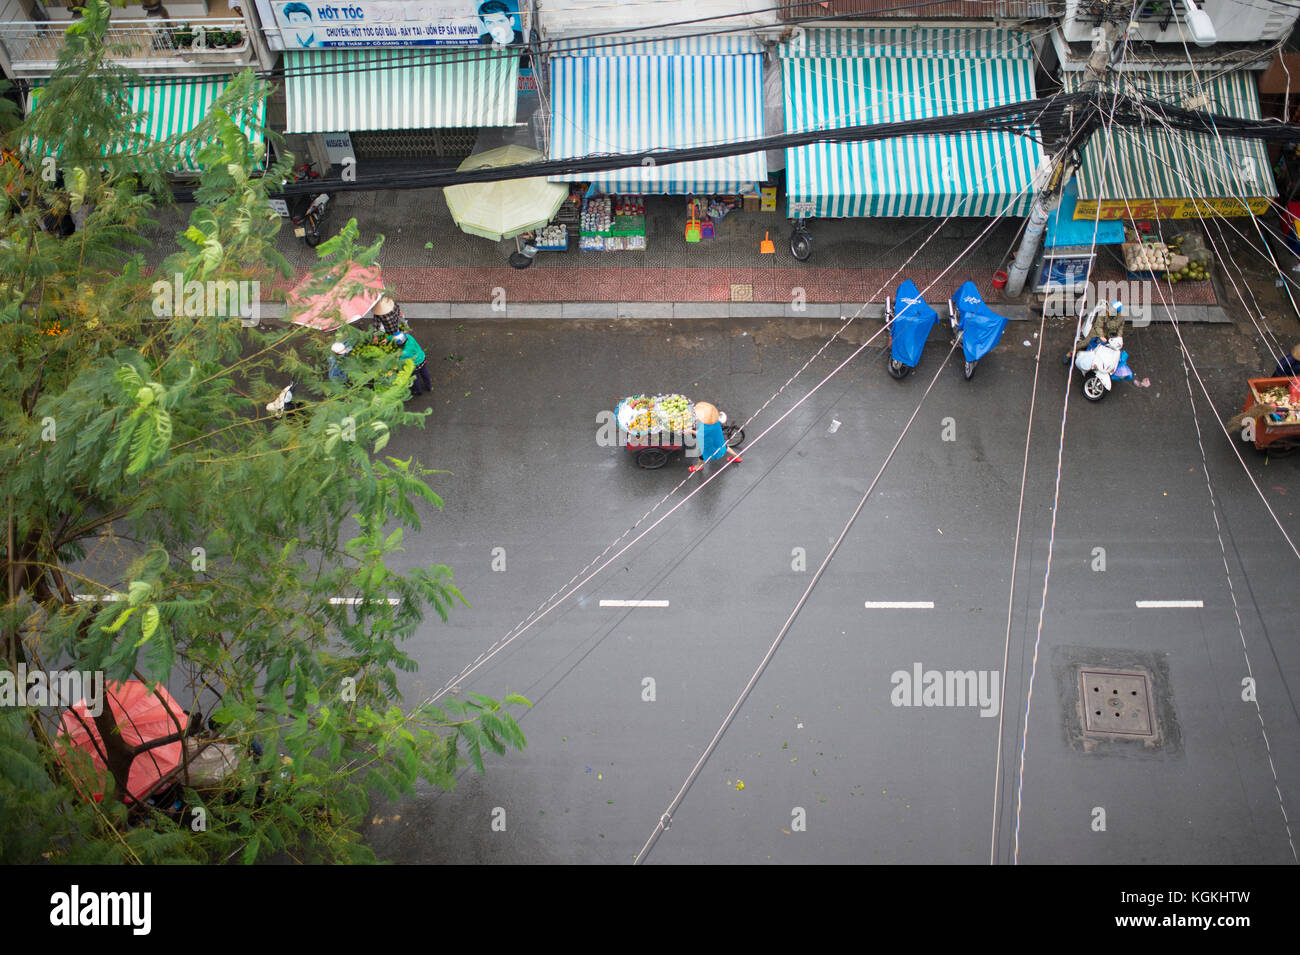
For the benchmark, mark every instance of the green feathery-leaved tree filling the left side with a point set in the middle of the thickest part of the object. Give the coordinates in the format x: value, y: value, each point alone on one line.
x: 140, y: 465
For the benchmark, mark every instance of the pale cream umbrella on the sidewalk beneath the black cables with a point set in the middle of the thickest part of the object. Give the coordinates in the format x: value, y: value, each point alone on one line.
x: 504, y: 210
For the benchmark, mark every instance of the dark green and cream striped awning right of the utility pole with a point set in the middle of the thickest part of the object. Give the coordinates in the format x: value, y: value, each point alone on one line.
x: 1152, y: 163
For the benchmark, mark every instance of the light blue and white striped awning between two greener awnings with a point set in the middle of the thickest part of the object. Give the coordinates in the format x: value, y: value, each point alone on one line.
x: 621, y: 105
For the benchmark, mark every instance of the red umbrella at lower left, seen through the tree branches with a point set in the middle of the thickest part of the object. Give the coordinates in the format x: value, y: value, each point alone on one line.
x: 142, y: 714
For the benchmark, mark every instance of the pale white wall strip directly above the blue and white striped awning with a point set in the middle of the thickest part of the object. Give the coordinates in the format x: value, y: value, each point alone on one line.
x: 561, y: 18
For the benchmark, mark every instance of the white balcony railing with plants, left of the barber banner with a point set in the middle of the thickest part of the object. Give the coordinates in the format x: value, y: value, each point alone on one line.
x: 153, y: 42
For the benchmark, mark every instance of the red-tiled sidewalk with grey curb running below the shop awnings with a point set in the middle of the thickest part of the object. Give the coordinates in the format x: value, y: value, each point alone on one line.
x: 855, y: 262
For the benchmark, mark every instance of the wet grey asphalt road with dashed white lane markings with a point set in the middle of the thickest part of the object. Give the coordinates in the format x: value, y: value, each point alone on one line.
x: 820, y: 740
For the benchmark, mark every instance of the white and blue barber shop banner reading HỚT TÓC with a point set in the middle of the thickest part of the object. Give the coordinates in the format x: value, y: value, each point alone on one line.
x: 318, y: 24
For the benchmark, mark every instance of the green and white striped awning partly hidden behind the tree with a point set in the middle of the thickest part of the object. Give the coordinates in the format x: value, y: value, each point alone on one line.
x: 171, y: 108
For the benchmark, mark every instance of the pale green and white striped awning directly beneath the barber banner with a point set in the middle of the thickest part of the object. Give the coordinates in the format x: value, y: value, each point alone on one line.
x: 400, y: 89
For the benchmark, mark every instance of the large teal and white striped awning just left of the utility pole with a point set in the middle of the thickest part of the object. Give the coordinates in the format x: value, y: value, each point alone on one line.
x: 837, y: 79
